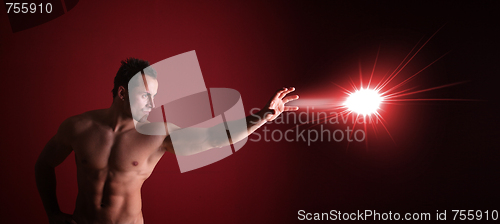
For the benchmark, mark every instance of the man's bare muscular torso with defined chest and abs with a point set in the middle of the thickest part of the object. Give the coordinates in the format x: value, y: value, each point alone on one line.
x: 111, y: 168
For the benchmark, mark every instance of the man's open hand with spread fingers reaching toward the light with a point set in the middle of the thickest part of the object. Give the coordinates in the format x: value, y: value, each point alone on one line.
x: 276, y: 105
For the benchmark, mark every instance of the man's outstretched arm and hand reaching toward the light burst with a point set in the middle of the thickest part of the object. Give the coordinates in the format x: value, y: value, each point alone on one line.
x: 195, y: 140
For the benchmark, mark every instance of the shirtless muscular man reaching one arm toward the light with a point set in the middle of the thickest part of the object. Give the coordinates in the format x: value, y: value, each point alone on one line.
x: 113, y: 160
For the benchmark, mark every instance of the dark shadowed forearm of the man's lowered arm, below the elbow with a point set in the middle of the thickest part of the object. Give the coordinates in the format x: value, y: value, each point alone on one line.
x: 46, y: 183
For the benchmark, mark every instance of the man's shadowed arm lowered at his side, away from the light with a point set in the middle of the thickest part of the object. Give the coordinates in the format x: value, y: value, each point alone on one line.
x: 54, y: 153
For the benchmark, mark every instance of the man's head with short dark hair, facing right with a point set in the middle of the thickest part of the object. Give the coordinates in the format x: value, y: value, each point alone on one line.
x: 130, y: 83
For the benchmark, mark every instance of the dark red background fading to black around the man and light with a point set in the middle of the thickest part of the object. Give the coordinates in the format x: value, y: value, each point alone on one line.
x: 445, y: 155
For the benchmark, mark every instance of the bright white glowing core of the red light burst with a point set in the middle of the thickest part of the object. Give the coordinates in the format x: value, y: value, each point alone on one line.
x: 364, y: 101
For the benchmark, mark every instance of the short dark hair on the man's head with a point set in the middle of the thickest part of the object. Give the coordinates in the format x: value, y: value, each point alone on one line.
x: 129, y: 68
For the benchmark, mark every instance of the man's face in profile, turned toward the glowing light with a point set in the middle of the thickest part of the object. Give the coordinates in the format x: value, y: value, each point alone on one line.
x: 142, y: 99
